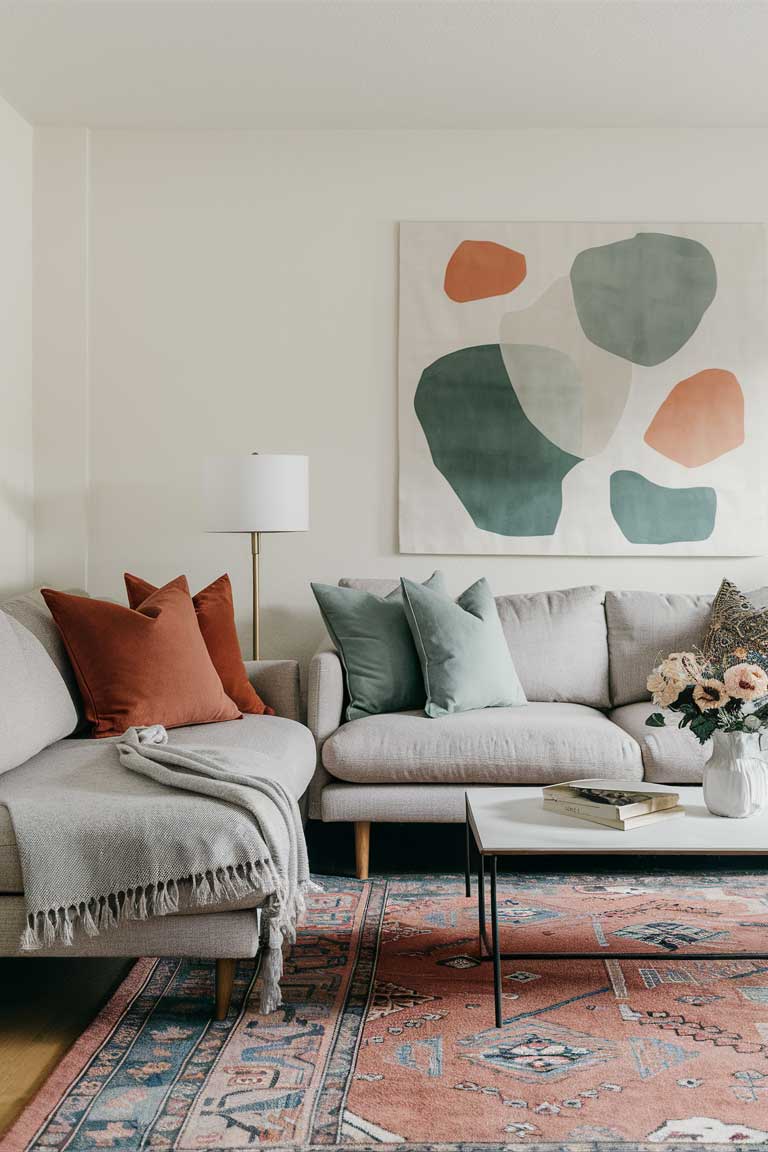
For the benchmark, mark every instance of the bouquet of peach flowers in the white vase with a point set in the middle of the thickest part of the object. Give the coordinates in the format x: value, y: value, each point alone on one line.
x: 728, y: 696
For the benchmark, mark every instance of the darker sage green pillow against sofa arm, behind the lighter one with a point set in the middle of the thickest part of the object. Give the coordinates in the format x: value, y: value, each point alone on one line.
x: 376, y: 648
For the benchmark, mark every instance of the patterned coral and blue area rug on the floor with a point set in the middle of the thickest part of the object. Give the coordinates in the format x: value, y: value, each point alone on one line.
x: 387, y: 1034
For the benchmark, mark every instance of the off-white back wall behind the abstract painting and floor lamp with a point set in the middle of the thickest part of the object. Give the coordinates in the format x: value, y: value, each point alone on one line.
x: 242, y: 295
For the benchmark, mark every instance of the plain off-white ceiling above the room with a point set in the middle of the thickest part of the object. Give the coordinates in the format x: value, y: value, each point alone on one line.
x: 385, y: 64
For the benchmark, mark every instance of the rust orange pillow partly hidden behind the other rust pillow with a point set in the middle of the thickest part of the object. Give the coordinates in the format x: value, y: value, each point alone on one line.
x: 216, y: 616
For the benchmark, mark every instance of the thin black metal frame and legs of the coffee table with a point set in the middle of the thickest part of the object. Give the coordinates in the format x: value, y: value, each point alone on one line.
x: 491, y: 950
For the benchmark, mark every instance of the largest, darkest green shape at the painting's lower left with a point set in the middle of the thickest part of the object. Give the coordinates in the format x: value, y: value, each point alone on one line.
x: 506, y: 473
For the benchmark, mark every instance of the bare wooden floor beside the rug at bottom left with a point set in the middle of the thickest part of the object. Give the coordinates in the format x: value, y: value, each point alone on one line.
x: 44, y: 1007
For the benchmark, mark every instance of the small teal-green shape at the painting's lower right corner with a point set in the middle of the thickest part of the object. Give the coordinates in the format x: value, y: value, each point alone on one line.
x: 651, y: 514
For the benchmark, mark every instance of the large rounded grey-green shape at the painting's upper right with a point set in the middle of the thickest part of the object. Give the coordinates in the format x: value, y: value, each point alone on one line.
x: 643, y: 299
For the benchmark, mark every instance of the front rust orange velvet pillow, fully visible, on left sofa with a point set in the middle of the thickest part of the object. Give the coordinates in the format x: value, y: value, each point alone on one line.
x: 141, y: 668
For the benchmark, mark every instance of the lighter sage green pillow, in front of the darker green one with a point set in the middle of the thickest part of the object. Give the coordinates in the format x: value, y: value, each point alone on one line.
x: 463, y: 651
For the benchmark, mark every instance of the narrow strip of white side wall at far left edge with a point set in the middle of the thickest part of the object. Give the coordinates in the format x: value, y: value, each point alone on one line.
x: 17, y: 511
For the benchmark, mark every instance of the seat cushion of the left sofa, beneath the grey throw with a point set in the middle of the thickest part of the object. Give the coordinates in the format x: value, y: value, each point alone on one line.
x: 284, y: 751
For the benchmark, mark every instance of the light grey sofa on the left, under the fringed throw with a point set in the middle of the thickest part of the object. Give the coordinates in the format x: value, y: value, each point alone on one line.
x: 231, y: 931
